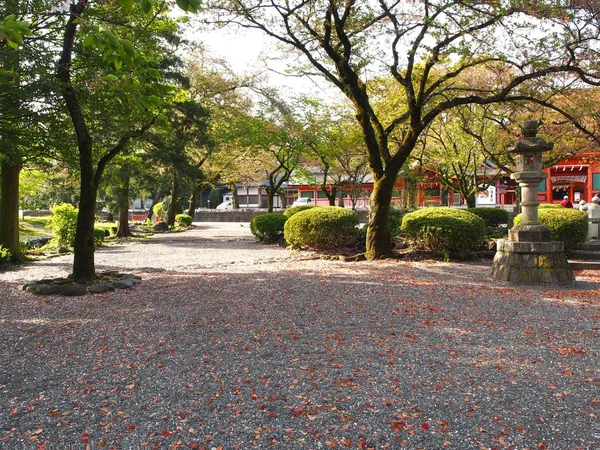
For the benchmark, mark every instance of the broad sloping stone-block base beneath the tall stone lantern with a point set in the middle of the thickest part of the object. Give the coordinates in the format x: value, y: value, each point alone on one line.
x: 531, y: 263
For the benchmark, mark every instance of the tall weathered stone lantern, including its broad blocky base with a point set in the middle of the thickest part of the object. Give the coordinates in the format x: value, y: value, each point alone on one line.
x: 529, y: 256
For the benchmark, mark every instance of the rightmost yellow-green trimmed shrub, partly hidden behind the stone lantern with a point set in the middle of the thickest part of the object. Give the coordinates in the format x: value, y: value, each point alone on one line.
x: 565, y: 224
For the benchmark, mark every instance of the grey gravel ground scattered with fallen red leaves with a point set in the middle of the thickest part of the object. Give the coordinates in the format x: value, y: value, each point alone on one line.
x: 229, y: 344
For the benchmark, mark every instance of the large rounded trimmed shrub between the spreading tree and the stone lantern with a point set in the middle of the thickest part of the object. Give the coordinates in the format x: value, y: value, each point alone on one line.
x: 445, y: 231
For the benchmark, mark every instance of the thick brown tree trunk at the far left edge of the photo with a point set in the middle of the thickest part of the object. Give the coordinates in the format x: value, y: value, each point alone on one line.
x: 9, y: 211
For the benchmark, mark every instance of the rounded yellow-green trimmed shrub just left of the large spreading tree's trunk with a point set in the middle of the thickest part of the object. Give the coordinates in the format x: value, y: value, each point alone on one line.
x: 322, y: 228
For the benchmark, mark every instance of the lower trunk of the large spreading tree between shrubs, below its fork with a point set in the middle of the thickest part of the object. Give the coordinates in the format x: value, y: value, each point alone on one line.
x: 379, y: 244
